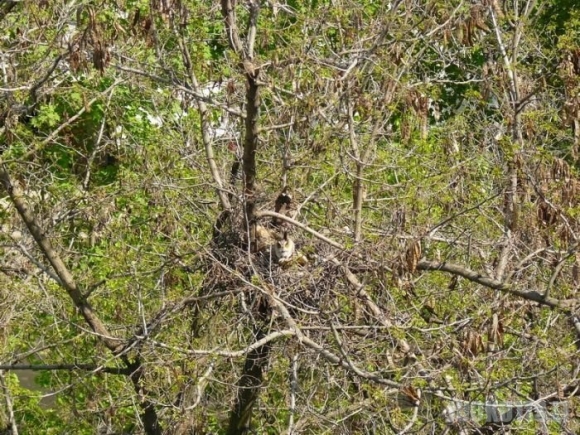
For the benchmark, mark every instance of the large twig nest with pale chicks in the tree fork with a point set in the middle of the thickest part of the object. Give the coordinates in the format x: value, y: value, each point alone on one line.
x: 302, y: 280
